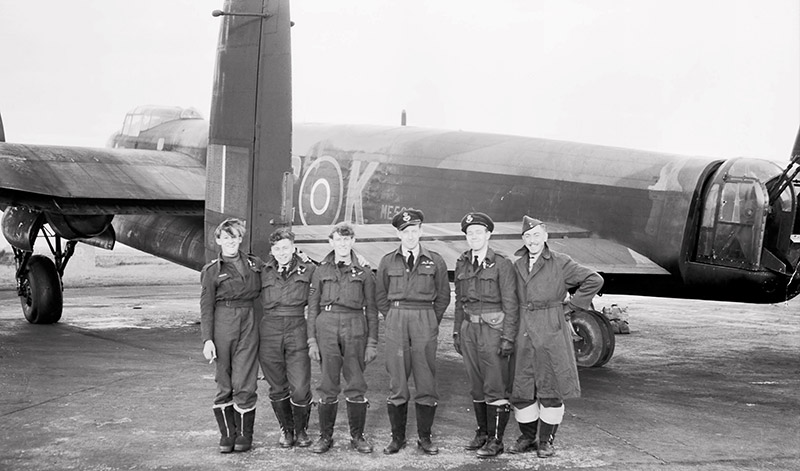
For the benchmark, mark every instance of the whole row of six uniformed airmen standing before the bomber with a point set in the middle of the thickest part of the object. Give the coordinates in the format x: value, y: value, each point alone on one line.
x: 511, y: 326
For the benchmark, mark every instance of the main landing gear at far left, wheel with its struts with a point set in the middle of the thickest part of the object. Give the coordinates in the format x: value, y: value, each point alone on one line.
x: 39, y: 280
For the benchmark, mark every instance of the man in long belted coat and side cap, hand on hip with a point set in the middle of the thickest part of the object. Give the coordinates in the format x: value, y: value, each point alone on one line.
x: 543, y: 280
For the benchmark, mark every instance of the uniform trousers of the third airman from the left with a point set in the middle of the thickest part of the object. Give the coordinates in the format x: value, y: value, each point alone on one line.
x: 342, y: 340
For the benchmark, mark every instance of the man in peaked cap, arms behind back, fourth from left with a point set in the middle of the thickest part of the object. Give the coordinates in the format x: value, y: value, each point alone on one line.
x: 412, y: 291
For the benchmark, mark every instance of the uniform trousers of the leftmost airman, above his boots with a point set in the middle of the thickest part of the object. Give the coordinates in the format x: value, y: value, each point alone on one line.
x: 236, y: 341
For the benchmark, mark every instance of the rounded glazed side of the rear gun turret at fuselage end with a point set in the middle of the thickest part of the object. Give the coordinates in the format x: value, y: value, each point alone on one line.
x: 734, y: 216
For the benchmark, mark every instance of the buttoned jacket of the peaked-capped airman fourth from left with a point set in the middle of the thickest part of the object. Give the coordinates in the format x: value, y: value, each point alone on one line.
x: 426, y: 282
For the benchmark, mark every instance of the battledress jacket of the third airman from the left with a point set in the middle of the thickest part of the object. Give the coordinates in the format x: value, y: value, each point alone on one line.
x: 351, y: 287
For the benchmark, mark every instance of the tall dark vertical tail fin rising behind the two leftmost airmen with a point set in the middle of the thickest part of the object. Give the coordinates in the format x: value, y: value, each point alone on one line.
x: 249, y: 143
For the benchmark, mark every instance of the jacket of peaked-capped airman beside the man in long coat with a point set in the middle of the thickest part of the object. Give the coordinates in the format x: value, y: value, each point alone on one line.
x: 493, y: 282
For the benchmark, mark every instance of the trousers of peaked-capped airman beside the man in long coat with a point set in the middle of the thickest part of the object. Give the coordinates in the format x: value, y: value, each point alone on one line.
x: 487, y: 371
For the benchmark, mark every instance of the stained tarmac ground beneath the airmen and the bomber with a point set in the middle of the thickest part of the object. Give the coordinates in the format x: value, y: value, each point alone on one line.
x: 120, y: 383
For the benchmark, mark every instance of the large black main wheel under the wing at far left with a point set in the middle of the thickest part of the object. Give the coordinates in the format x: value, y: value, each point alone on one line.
x: 43, y: 300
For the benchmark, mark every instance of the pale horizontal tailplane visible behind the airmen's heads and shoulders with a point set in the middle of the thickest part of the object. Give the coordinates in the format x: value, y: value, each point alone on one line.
x: 373, y: 241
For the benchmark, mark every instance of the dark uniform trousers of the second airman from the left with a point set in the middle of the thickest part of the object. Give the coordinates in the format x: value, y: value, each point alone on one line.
x: 283, y: 355
